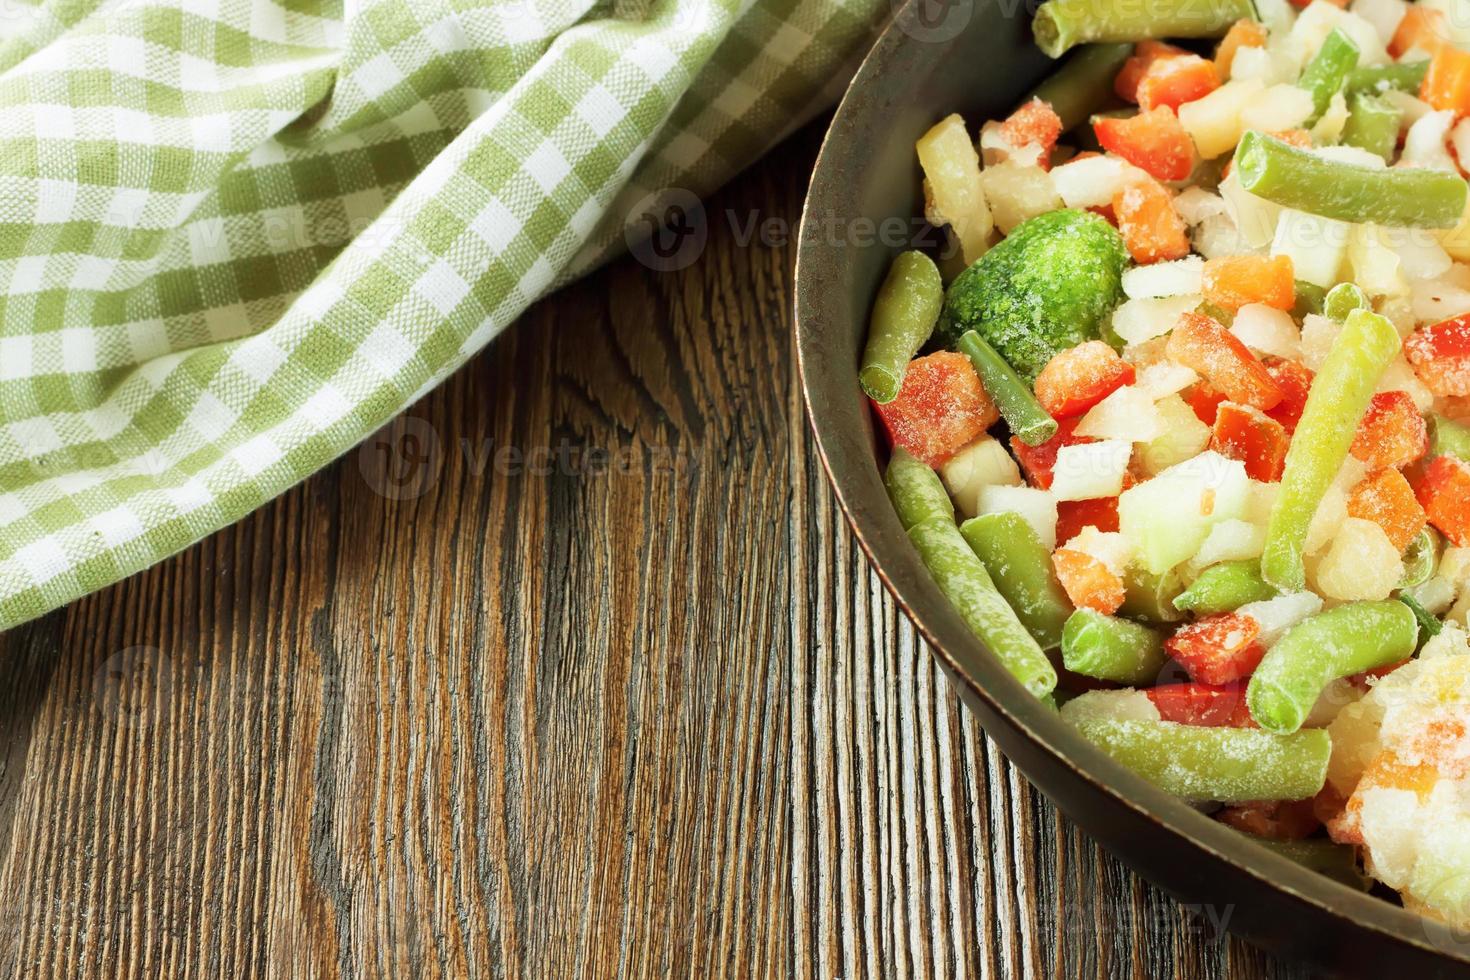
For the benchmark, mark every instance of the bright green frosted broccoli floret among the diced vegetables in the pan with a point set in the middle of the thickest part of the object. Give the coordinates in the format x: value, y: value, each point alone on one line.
x: 1050, y: 286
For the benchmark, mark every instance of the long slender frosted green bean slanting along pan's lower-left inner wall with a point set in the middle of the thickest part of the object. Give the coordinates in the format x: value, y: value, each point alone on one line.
x: 968, y: 586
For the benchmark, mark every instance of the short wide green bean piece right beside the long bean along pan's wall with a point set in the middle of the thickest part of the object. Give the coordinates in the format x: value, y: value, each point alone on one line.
x: 1021, y: 568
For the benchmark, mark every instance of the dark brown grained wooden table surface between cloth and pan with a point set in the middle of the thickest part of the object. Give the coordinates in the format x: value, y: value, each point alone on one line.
x: 576, y: 671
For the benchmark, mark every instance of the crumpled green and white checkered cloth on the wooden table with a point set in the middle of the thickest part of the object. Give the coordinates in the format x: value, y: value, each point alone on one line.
x: 240, y: 236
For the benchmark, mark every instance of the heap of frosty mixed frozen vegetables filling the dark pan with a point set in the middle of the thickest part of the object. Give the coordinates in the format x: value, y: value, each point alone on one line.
x: 1203, y: 403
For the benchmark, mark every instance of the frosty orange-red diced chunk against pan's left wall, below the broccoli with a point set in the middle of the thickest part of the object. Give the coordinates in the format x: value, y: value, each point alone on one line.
x: 940, y: 409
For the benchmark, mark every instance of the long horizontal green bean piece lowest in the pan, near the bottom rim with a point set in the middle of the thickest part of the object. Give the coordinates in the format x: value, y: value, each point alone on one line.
x: 1230, y: 766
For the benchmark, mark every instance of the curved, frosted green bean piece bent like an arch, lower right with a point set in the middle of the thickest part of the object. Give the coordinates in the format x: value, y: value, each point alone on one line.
x: 1341, y: 643
